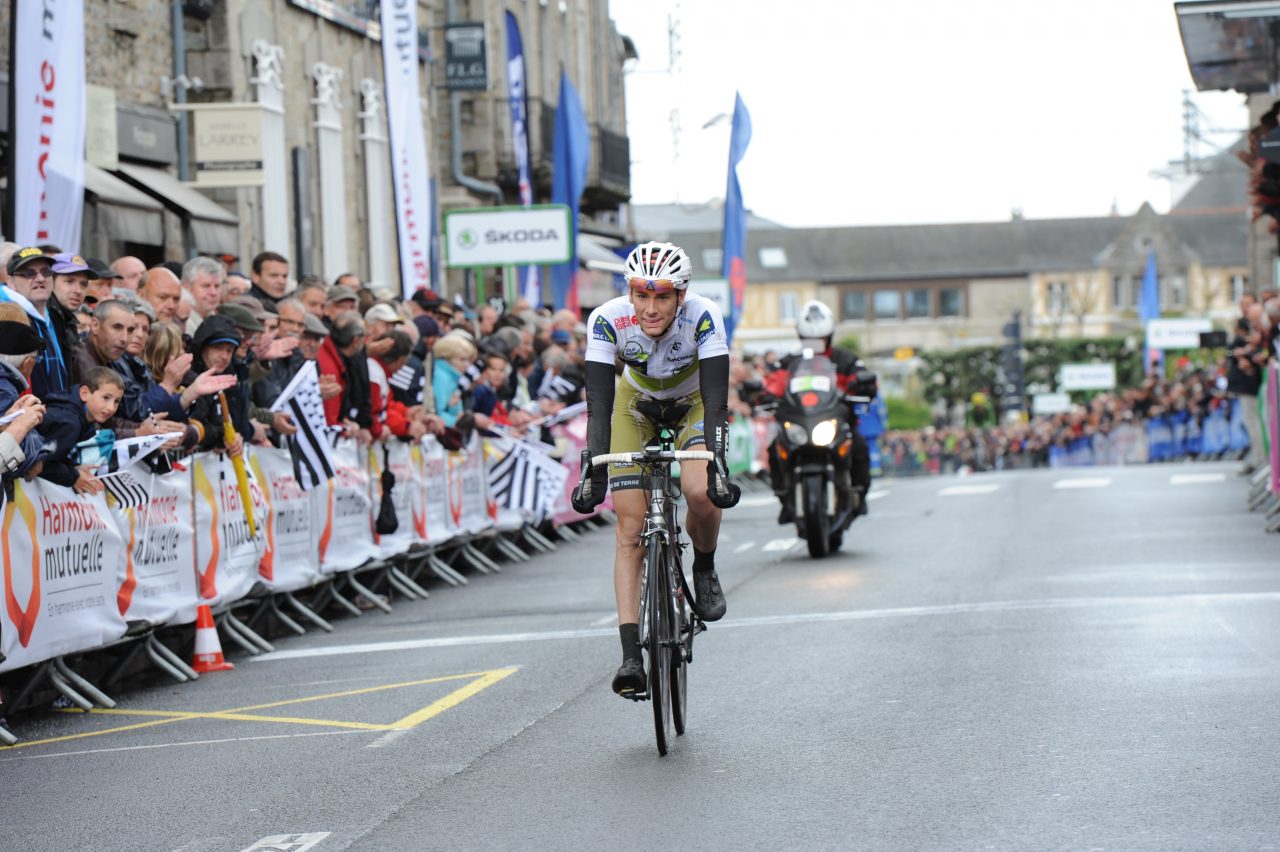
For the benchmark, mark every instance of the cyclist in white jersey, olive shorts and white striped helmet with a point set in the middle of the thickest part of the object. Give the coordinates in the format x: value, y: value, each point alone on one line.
x: 675, y: 368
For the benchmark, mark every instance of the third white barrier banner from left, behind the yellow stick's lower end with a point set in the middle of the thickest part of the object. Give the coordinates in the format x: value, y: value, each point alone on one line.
x: 227, y: 556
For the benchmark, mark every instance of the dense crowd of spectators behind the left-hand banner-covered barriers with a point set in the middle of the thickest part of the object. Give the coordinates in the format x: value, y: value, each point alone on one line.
x: 93, y: 352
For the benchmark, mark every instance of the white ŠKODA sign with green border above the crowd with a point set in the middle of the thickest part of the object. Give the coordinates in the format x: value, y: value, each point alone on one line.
x: 508, y: 237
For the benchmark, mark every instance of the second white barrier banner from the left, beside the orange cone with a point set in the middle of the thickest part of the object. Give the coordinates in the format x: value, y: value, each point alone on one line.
x: 158, y: 578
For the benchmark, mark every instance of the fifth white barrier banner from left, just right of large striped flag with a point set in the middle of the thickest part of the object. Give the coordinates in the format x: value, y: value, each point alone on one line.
x: 342, y: 521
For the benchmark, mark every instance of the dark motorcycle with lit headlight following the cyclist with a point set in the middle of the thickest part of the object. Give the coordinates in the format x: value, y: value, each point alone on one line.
x: 816, y: 437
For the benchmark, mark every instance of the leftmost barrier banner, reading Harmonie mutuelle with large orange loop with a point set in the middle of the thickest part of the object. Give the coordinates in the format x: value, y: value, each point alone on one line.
x: 62, y: 557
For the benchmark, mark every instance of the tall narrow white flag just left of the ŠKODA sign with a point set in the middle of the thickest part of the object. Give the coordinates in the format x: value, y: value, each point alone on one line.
x: 410, y: 172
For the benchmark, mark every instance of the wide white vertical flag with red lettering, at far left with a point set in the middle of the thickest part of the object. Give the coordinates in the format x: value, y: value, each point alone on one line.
x: 48, y: 138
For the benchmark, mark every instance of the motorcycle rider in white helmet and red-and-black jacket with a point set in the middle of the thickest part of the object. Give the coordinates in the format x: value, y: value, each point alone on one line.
x: 816, y: 327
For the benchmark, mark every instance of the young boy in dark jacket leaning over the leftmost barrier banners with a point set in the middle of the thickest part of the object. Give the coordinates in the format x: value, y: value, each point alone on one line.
x: 74, y: 418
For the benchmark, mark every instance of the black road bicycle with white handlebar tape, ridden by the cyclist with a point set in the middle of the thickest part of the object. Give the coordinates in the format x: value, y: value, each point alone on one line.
x: 669, y: 621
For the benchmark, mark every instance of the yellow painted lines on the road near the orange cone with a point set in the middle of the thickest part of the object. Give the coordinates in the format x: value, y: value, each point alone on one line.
x: 481, y: 681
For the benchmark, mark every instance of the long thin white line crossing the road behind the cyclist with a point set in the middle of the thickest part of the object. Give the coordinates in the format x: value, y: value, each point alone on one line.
x: 796, y: 619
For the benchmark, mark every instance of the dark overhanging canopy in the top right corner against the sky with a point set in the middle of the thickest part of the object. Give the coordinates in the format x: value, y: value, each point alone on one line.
x: 1231, y: 44
